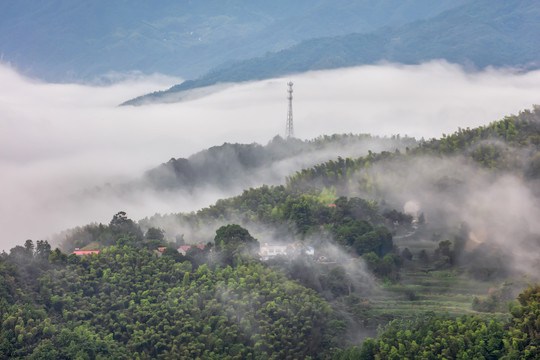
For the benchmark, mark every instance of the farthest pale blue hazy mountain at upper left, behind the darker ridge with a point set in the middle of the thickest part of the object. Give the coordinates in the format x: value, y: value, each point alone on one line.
x: 60, y: 41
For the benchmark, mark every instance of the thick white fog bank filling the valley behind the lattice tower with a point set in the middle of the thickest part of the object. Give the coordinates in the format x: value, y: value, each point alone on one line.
x: 56, y: 140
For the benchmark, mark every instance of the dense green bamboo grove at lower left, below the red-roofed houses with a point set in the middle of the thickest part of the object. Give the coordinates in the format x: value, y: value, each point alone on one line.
x: 128, y: 303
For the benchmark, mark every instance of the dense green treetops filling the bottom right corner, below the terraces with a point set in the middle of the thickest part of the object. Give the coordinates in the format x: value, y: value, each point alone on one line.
x: 466, y: 337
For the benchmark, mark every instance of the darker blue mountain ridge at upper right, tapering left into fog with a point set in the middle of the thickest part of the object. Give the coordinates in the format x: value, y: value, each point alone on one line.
x: 476, y: 35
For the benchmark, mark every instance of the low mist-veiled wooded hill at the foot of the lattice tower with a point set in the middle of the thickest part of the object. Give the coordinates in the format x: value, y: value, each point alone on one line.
x: 240, y: 166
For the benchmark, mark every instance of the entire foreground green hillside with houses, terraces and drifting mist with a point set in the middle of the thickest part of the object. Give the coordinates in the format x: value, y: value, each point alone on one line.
x: 437, y: 244
